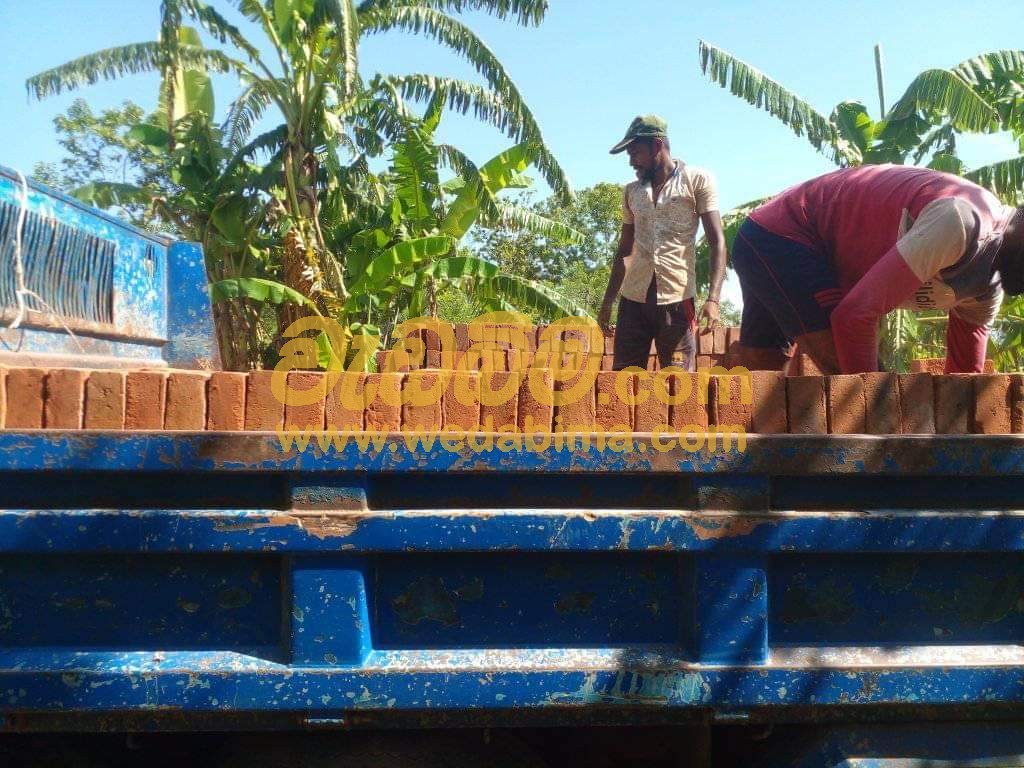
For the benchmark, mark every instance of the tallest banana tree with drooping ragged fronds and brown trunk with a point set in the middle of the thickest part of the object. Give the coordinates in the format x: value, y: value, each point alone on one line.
x: 313, y: 80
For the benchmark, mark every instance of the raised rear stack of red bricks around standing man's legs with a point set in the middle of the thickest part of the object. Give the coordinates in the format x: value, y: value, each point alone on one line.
x: 507, y: 348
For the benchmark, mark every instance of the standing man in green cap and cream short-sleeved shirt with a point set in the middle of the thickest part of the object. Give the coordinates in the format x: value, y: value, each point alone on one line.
x: 661, y: 214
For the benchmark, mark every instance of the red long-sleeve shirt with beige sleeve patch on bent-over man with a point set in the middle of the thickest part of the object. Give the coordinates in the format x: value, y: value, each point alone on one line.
x: 900, y: 237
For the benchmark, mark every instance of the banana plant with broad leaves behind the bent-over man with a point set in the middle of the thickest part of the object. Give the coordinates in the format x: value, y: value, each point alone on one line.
x: 984, y: 95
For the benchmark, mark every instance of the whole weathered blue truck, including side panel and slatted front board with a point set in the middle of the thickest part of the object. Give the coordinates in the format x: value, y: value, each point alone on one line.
x: 805, y: 602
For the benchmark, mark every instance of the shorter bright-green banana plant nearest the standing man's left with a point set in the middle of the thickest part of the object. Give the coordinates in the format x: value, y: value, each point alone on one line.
x: 398, y: 266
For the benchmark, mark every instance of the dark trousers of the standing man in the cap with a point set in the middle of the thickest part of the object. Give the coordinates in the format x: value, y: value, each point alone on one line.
x: 669, y: 326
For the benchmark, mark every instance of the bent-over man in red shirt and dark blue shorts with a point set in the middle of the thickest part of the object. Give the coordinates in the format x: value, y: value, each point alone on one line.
x: 824, y: 262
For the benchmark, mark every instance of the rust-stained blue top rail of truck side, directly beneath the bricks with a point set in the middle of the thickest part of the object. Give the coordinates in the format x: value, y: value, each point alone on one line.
x: 923, y: 456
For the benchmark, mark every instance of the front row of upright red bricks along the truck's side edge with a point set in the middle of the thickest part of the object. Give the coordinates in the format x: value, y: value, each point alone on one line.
x: 872, y: 404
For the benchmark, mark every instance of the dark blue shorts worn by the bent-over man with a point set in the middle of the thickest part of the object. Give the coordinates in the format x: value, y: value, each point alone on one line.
x: 789, y: 289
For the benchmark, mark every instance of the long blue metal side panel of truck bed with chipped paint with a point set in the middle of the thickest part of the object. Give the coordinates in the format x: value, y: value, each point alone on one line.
x: 211, y: 573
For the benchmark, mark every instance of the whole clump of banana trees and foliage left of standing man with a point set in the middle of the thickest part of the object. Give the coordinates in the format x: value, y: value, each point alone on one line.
x: 361, y: 242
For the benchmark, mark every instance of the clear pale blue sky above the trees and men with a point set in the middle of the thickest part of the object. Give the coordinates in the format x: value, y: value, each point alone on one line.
x: 586, y: 72
